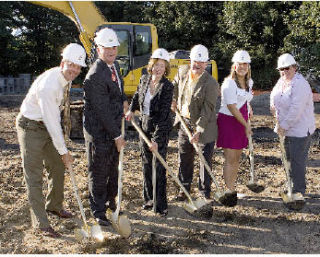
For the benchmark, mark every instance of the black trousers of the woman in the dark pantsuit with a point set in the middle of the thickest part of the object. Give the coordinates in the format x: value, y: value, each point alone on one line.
x: 146, y: 158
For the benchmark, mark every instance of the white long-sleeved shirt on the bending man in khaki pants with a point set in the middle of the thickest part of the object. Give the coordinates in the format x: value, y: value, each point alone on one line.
x: 43, y: 103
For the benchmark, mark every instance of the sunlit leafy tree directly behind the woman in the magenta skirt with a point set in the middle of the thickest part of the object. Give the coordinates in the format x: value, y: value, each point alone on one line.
x: 259, y: 28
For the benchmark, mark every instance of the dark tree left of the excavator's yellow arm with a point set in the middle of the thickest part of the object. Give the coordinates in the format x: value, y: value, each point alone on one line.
x: 40, y: 35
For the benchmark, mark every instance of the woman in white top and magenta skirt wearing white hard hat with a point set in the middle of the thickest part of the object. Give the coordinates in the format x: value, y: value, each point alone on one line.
x: 233, y: 125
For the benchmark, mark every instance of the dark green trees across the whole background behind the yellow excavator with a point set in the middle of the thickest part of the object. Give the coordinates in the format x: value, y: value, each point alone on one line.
x: 265, y: 29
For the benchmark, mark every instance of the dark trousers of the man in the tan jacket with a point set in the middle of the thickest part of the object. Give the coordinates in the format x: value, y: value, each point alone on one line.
x: 186, y: 163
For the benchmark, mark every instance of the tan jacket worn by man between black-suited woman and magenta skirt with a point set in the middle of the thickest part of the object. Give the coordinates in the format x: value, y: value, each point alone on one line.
x: 203, y: 102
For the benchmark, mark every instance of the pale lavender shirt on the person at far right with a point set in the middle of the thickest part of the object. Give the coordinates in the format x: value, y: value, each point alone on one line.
x: 294, y: 106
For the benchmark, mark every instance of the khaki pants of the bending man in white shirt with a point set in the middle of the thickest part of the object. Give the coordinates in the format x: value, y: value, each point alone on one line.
x: 38, y: 151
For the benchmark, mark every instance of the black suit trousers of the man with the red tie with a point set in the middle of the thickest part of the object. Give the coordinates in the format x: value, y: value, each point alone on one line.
x: 103, y: 160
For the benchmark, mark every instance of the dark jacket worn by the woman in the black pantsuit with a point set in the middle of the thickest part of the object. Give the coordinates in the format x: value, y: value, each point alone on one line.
x: 160, y: 104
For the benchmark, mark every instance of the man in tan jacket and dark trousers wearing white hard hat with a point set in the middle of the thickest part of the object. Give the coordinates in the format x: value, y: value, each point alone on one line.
x: 195, y: 96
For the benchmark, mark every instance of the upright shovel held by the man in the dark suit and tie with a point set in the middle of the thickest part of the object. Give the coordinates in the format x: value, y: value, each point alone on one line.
x: 120, y: 222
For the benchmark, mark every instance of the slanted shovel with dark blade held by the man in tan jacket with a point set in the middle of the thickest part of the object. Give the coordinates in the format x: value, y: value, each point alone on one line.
x: 223, y: 198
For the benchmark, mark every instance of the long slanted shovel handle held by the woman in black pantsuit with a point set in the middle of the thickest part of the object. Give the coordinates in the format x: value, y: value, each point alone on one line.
x: 156, y: 153
